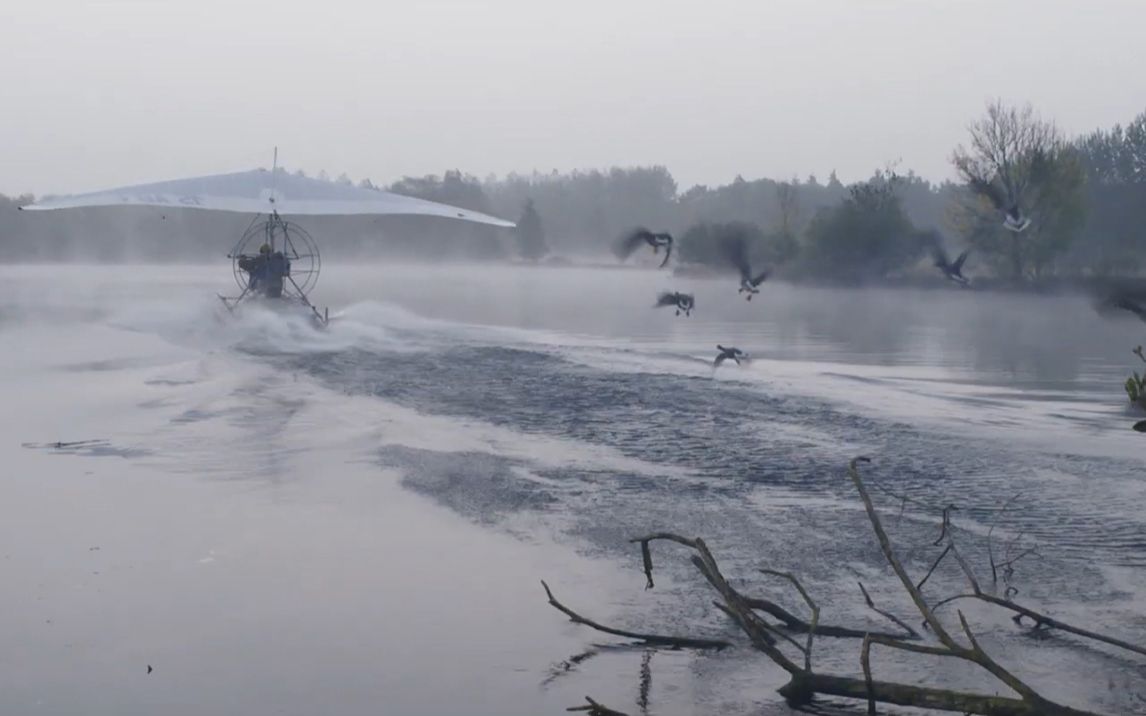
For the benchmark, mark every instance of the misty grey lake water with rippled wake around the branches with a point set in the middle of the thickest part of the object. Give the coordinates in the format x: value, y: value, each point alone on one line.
x: 288, y: 522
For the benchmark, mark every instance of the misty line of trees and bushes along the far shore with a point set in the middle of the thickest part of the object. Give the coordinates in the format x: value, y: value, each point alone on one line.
x: 1086, y: 198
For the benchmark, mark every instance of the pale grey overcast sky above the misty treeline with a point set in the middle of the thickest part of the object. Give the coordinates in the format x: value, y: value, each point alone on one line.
x: 103, y: 95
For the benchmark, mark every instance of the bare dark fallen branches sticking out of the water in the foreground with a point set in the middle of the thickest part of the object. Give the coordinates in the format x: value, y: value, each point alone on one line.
x: 751, y: 616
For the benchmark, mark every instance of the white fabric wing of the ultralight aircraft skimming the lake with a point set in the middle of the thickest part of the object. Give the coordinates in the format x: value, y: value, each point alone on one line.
x: 255, y: 193
